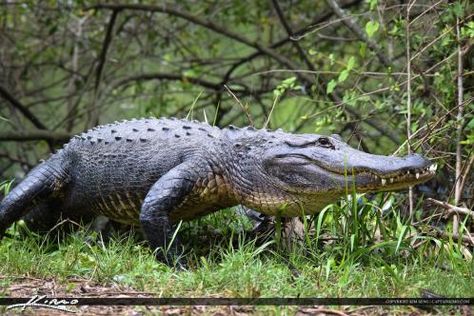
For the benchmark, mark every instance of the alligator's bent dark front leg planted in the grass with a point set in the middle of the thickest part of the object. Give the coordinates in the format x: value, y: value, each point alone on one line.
x: 168, y: 194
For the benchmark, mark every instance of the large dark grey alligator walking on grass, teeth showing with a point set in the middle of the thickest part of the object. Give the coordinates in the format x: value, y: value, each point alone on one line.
x: 153, y: 173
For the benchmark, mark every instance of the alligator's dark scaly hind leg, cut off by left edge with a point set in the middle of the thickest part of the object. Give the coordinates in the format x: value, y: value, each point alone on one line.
x: 40, y: 185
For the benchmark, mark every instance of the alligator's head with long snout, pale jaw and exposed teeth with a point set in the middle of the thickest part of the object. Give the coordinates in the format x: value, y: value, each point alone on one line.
x: 316, y: 170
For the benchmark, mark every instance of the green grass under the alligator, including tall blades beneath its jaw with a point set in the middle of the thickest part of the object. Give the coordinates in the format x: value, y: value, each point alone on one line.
x: 352, y: 250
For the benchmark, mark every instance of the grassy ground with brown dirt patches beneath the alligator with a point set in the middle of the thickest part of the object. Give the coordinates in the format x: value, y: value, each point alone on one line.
x: 225, y: 261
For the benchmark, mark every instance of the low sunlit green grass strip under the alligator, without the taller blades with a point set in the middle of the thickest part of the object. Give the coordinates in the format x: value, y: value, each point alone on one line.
x: 247, y: 270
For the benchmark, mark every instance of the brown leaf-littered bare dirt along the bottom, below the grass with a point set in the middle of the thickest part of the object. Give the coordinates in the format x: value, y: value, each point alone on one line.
x: 83, y: 288
